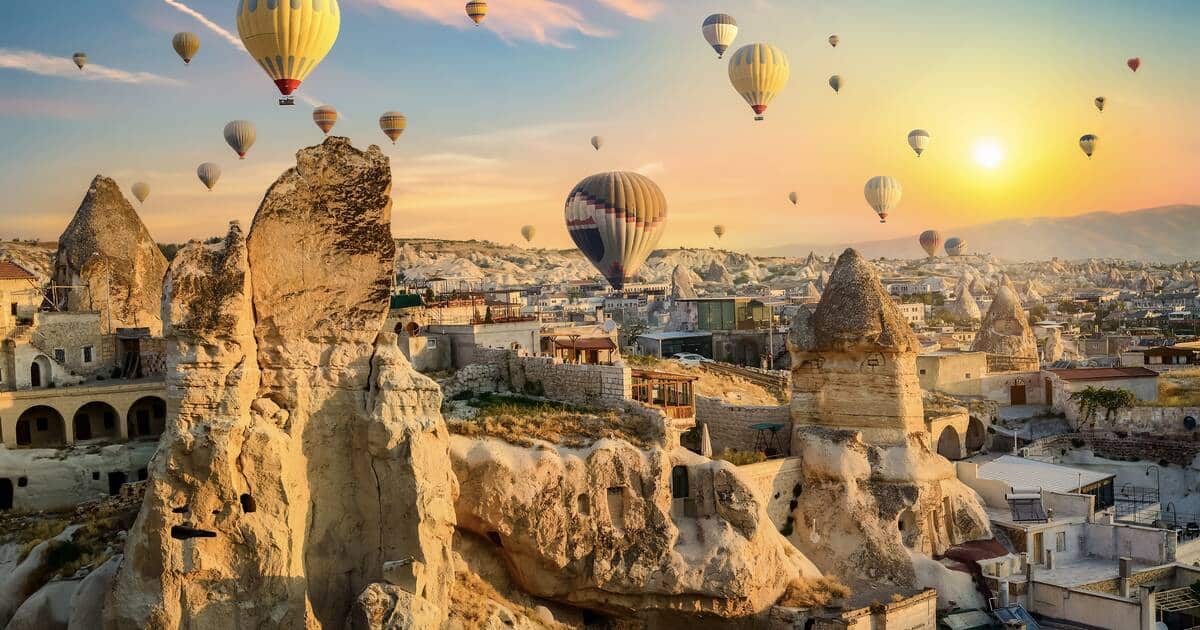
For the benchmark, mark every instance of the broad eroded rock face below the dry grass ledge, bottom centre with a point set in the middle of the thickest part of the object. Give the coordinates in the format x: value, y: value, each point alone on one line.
x: 598, y: 527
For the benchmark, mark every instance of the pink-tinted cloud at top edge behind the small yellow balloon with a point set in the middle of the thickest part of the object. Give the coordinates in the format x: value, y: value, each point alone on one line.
x: 545, y: 22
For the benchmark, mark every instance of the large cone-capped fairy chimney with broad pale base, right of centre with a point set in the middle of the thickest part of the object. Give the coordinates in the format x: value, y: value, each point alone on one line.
x: 874, y: 496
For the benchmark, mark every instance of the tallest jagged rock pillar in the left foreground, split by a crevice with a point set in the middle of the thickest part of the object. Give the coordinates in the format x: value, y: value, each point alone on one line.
x: 302, y: 451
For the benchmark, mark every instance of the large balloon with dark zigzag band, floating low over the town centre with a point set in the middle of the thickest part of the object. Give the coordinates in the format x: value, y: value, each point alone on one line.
x: 616, y: 220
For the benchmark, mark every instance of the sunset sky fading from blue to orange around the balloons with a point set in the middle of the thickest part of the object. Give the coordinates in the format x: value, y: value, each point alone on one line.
x: 500, y: 117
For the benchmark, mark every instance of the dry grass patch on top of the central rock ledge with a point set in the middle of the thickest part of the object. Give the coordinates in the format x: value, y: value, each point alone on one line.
x: 521, y: 421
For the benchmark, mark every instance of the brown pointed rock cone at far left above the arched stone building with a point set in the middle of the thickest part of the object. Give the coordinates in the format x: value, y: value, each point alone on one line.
x: 109, y: 255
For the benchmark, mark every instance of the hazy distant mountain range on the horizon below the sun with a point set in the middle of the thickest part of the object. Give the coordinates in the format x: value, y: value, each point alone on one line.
x: 1161, y: 235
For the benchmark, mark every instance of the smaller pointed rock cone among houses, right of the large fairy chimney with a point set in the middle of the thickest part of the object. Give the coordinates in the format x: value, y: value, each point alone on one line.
x: 1005, y: 334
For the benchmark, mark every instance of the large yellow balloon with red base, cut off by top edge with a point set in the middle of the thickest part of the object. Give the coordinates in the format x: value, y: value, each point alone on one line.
x: 289, y: 39
